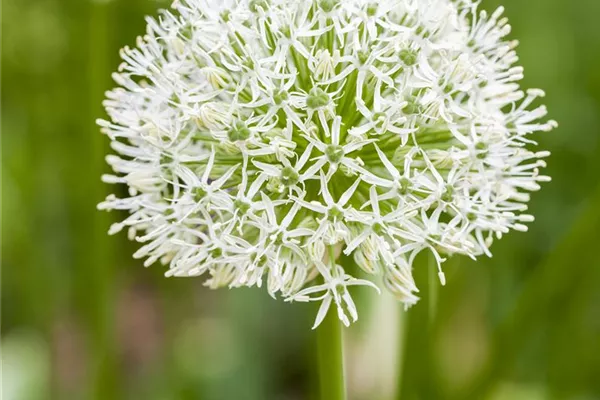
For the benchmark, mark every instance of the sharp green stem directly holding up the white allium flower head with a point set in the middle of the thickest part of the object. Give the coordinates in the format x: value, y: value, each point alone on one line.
x: 331, y: 354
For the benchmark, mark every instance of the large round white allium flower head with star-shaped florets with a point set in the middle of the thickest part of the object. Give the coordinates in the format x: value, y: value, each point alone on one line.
x: 260, y: 139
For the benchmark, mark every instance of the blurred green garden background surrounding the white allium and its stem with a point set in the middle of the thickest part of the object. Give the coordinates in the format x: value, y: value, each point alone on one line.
x: 82, y: 320
